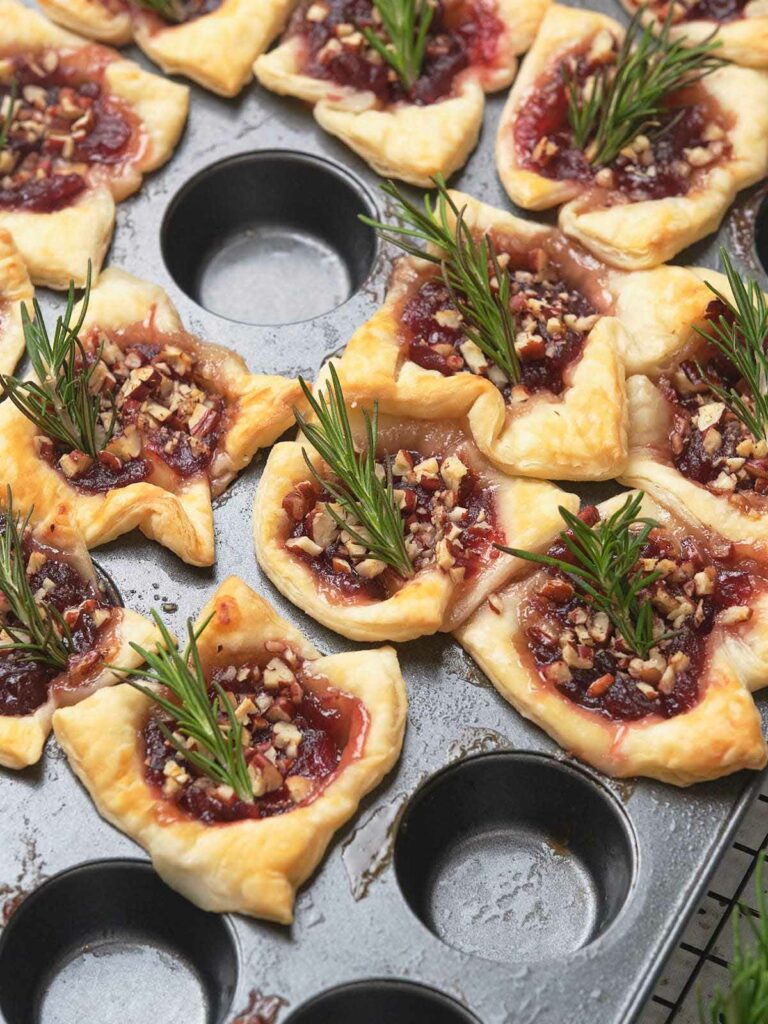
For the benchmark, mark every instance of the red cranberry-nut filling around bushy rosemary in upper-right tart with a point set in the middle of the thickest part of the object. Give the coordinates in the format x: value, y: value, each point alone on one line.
x: 690, y: 138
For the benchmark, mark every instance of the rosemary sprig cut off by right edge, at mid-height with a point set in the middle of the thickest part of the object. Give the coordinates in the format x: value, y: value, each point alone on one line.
x: 742, y: 338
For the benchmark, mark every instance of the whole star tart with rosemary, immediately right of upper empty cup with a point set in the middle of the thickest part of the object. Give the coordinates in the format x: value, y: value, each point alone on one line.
x: 508, y: 323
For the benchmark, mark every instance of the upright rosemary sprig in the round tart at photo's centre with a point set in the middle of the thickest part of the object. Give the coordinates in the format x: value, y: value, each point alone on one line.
x: 365, y: 498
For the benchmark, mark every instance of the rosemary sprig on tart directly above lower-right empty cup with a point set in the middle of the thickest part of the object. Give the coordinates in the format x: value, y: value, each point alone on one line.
x: 605, y: 570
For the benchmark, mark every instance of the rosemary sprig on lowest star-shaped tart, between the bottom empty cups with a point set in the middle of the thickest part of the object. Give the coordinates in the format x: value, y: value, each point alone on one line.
x: 219, y: 754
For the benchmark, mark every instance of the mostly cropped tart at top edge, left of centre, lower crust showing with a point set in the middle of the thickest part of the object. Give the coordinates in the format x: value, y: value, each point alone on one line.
x: 212, y: 42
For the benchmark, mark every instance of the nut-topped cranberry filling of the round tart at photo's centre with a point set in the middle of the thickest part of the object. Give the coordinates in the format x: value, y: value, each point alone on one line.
x: 450, y: 521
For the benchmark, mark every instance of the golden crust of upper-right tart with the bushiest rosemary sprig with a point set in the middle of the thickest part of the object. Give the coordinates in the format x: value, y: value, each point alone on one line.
x: 637, y: 236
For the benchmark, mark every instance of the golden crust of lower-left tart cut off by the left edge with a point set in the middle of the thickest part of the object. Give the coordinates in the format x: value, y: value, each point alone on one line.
x: 23, y: 737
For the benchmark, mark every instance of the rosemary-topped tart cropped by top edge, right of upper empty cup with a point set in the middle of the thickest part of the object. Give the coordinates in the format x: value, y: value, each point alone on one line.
x: 405, y: 90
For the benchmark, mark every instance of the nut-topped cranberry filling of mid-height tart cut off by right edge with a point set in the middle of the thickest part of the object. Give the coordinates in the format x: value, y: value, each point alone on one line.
x: 708, y: 443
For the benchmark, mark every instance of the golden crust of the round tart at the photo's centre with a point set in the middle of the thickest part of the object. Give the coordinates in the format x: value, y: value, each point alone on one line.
x: 527, y: 511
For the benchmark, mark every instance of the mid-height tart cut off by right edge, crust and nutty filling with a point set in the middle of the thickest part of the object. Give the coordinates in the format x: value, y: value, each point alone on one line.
x: 686, y: 446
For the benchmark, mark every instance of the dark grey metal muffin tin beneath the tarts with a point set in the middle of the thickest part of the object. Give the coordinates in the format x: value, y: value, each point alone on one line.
x: 354, y: 920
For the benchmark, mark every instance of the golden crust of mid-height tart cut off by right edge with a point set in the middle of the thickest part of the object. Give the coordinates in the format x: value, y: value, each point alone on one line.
x: 650, y: 465
